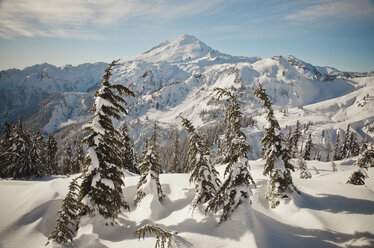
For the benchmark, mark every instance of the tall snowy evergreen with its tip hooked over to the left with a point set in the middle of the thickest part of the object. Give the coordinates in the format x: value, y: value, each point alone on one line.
x: 236, y: 187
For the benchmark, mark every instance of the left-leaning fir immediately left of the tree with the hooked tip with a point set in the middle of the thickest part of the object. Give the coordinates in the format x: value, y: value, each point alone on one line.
x: 203, y: 174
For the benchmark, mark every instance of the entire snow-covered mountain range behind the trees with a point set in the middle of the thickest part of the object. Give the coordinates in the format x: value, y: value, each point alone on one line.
x: 178, y: 77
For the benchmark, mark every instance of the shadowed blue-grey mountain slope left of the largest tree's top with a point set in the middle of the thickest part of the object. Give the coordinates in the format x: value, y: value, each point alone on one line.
x: 22, y: 90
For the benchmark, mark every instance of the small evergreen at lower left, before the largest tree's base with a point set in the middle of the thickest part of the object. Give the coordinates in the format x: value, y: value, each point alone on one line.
x: 67, y: 221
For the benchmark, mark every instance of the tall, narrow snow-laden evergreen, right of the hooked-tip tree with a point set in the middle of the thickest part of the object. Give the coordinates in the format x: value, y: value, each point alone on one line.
x: 277, y: 158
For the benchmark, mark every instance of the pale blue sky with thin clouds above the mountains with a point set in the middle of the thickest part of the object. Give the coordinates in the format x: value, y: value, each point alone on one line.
x: 338, y: 33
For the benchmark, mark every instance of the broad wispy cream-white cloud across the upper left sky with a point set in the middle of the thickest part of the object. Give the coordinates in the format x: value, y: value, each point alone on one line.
x: 71, y: 18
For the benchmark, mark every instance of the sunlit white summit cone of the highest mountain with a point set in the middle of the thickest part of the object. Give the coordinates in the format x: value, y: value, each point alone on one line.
x: 183, y: 48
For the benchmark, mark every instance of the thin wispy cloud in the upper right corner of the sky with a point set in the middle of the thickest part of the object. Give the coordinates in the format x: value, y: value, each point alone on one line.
x: 334, y: 9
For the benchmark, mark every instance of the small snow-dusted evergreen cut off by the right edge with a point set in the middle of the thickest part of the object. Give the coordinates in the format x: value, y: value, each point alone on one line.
x: 365, y: 160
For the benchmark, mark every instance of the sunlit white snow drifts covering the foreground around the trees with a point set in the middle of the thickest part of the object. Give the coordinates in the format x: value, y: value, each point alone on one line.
x: 328, y: 213
